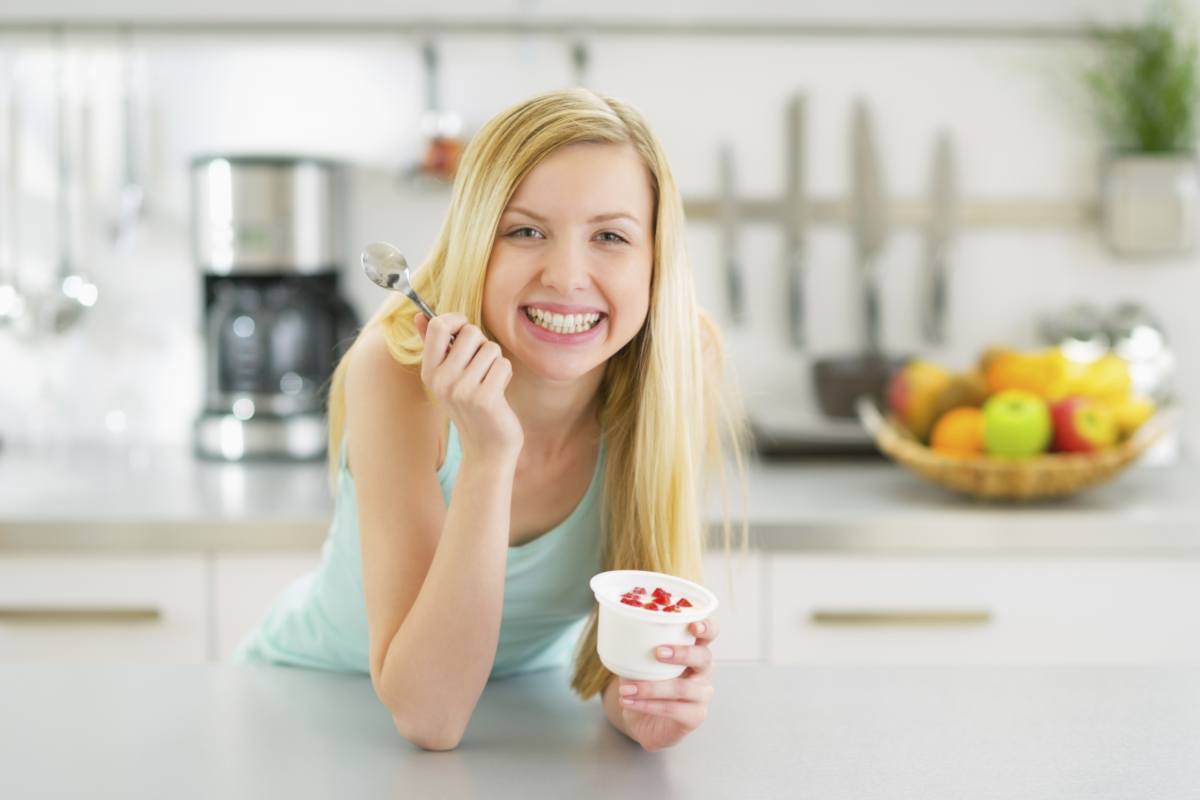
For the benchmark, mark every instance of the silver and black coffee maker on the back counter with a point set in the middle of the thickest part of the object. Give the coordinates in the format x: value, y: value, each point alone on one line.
x: 267, y: 236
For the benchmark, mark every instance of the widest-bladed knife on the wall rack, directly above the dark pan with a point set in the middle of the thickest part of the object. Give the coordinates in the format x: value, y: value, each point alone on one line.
x: 869, y: 218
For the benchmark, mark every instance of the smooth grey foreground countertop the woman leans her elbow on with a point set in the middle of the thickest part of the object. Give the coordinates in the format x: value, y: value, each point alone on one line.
x: 773, y: 732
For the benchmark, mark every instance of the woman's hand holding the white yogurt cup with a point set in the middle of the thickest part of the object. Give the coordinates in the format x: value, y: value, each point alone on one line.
x: 661, y: 713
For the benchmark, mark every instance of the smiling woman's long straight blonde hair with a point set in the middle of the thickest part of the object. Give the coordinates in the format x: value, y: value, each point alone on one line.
x: 665, y: 404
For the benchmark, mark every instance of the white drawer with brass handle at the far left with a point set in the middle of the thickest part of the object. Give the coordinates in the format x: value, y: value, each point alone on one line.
x: 103, y: 610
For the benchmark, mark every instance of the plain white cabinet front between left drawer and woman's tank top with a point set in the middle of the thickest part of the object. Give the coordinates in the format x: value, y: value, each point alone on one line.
x: 245, y: 587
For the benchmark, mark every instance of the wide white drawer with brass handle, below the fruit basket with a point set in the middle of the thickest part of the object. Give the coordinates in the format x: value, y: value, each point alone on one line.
x: 1037, y: 611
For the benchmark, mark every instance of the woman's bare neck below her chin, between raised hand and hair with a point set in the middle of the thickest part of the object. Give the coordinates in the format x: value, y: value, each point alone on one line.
x: 556, y: 416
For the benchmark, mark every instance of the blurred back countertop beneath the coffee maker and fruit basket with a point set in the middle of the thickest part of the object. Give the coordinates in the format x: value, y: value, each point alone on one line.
x: 167, y: 500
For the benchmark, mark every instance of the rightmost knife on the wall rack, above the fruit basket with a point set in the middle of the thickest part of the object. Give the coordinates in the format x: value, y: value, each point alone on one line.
x: 943, y: 222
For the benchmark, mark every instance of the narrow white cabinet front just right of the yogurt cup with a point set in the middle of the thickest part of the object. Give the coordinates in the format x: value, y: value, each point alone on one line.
x: 737, y: 582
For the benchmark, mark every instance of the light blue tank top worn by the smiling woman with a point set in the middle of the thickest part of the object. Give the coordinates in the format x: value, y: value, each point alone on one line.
x: 320, y: 622
